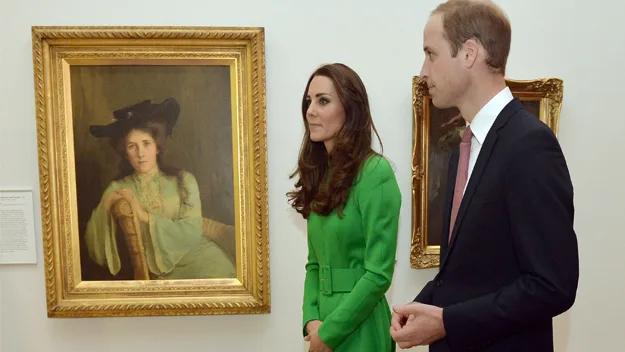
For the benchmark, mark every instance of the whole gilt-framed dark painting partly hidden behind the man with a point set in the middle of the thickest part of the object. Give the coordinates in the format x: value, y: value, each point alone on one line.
x: 436, y: 132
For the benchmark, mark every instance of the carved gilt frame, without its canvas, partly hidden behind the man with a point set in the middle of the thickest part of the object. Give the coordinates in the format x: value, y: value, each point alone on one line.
x: 543, y: 95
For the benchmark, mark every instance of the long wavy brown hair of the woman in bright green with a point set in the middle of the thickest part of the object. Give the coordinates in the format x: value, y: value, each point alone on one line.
x: 325, y: 178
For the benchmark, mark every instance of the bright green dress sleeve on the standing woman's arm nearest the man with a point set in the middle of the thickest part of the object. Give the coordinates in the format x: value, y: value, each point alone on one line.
x: 379, y: 201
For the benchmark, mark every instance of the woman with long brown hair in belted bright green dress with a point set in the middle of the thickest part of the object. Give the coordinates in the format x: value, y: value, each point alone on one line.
x: 349, y: 195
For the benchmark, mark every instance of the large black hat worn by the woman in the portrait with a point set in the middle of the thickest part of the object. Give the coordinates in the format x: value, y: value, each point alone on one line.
x: 134, y: 115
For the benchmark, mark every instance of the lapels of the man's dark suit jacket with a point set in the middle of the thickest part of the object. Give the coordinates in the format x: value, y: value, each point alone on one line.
x: 478, y: 169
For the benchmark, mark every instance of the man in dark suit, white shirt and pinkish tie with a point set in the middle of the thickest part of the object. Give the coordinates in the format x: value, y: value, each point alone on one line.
x: 509, y: 257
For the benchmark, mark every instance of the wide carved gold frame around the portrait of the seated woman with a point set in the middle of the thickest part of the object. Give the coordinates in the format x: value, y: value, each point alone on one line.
x: 241, y: 53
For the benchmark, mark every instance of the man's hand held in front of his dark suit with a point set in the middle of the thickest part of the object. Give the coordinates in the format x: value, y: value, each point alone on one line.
x: 420, y: 325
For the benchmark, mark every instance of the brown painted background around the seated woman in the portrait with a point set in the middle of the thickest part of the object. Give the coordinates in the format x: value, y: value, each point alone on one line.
x: 201, y: 142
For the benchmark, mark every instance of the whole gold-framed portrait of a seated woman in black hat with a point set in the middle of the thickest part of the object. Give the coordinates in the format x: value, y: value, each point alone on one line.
x: 153, y: 170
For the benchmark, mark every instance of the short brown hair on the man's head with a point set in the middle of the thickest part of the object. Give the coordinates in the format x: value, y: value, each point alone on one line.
x: 480, y: 20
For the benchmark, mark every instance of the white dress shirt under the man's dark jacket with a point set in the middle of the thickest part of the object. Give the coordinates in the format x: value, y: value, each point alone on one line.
x: 482, y: 122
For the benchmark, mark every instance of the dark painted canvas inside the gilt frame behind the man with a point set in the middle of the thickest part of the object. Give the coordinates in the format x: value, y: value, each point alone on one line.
x: 442, y: 142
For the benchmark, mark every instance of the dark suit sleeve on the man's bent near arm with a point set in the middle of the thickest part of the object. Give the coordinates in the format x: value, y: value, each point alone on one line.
x: 539, y: 201
